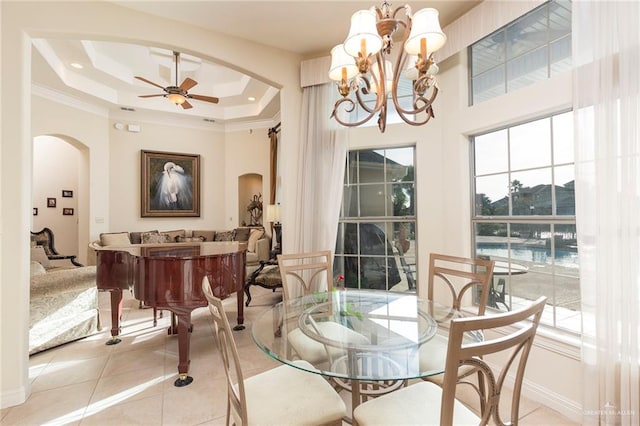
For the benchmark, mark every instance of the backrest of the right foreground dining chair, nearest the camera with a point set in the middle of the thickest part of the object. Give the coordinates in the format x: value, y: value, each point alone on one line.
x: 520, y: 326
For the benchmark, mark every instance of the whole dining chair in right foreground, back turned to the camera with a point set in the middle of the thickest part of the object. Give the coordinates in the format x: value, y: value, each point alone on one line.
x: 426, y: 403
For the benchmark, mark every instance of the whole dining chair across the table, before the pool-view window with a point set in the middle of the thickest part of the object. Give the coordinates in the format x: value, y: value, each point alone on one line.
x: 456, y: 277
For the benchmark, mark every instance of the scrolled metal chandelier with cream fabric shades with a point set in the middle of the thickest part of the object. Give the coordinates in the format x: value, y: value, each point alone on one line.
x: 363, y: 65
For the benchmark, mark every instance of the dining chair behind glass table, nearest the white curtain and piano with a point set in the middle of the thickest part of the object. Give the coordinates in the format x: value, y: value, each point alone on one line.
x: 304, y: 274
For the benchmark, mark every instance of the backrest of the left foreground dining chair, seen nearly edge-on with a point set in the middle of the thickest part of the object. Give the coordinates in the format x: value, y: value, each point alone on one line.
x: 230, y: 358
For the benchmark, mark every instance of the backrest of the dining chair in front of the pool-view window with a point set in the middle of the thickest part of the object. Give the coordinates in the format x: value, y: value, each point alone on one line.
x: 460, y: 274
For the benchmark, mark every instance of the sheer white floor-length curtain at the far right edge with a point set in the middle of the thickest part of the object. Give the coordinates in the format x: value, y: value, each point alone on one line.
x: 606, y: 51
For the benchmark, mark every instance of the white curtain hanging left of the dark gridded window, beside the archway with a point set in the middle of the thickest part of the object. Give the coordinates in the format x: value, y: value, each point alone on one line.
x: 320, y: 173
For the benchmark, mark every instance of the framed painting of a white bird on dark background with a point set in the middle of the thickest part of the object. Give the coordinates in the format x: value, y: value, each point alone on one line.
x: 169, y: 184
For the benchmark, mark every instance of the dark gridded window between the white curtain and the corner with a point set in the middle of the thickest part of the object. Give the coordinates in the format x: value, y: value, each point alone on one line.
x: 376, y: 245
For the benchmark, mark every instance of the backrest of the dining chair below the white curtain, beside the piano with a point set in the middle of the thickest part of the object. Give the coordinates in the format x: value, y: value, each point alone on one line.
x: 305, y: 273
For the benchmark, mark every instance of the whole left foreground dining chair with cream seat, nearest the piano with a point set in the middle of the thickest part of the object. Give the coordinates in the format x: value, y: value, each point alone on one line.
x: 284, y: 395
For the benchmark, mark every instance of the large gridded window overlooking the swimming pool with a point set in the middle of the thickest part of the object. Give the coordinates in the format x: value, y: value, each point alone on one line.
x: 524, y: 216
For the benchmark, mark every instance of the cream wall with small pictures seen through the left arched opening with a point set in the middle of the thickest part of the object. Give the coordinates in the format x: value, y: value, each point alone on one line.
x: 56, y: 166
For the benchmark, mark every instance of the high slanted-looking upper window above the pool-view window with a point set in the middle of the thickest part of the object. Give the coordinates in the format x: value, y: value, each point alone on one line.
x: 535, y: 47
